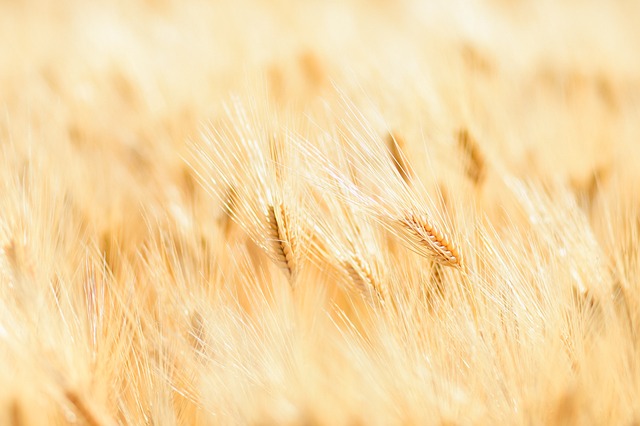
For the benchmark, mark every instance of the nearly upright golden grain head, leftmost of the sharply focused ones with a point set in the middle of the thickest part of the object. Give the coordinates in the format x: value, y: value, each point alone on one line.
x: 281, y: 240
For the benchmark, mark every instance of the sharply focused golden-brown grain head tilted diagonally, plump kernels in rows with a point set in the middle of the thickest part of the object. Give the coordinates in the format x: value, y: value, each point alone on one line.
x: 430, y: 241
